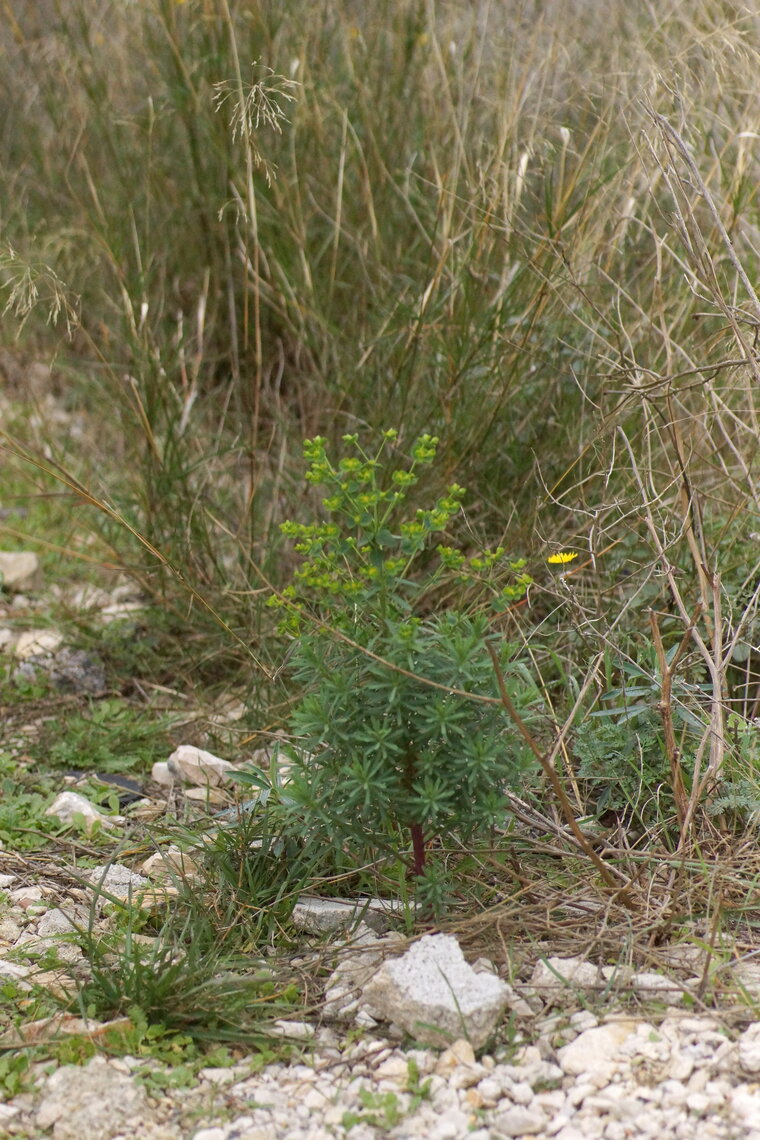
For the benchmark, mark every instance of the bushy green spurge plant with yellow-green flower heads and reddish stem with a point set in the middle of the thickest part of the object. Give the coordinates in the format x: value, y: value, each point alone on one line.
x: 402, y: 734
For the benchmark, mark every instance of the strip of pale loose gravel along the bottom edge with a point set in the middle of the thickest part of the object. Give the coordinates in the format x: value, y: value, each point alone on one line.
x: 627, y: 1094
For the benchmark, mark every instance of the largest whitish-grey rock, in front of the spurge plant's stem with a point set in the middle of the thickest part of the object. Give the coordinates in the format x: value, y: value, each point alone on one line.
x: 435, y: 996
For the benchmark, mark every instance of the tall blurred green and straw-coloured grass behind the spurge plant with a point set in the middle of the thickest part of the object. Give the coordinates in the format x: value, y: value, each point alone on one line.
x: 254, y: 223
